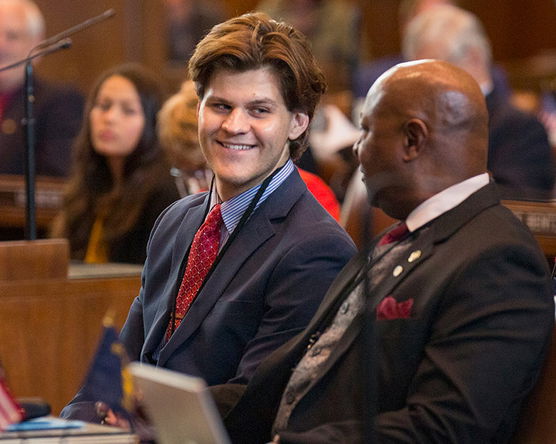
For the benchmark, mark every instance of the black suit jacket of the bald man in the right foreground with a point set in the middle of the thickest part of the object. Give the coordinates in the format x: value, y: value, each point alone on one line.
x: 455, y: 371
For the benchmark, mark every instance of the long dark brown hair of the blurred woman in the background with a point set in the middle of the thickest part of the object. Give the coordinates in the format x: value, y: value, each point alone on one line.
x: 90, y: 190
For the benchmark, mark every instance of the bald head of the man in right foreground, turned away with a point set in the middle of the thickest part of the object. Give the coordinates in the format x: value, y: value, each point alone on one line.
x: 425, y: 128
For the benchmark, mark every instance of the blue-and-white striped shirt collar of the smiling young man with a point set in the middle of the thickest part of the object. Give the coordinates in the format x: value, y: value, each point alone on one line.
x: 233, y: 209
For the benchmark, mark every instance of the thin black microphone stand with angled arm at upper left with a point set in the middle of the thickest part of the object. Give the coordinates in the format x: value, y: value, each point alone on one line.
x: 48, y: 46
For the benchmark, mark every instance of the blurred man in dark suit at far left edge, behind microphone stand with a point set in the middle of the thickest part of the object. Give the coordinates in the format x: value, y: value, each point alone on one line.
x: 57, y: 109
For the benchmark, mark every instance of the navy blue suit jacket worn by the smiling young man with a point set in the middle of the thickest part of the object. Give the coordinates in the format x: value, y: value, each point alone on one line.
x: 264, y: 290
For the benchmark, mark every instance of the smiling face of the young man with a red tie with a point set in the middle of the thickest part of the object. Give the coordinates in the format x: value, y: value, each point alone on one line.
x: 244, y: 127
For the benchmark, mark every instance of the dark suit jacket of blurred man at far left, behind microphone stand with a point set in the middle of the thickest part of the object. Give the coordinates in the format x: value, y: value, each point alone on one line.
x: 57, y: 112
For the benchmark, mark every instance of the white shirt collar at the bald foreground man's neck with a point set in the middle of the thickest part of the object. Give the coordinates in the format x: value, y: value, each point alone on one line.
x: 444, y: 201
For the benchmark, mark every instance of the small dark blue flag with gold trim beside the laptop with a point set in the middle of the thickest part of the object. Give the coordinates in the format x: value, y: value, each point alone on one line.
x: 108, y: 380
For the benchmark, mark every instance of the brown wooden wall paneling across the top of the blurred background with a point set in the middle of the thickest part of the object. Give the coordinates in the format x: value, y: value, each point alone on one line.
x: 517, y: 30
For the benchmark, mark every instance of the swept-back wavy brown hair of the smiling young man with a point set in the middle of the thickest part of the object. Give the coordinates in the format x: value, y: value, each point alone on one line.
x: 253, y: 41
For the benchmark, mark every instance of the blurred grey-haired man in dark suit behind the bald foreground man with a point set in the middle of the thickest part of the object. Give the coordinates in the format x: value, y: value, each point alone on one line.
x: 519, y: 154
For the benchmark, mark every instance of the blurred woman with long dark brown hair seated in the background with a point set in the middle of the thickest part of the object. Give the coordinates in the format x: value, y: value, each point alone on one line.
x: 120, y: 181
